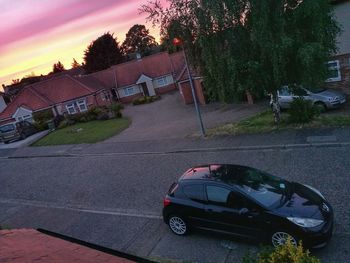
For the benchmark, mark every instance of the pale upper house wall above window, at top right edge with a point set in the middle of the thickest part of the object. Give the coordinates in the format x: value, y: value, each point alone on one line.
x: 342, y: 12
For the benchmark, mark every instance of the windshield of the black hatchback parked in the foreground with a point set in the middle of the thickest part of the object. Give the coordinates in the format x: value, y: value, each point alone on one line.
x: 264, y: 188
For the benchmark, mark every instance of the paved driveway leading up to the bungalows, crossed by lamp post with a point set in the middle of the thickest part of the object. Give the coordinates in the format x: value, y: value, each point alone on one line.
x: 170, y: 118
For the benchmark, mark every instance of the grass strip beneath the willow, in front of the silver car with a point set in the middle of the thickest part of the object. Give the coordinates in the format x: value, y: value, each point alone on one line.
x: 263, y: 122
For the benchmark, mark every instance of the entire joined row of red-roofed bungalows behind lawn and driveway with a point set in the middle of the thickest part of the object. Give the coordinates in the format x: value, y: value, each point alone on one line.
x: 65, y: 94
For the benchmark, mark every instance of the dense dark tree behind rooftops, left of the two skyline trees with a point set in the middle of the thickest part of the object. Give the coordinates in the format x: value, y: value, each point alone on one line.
x: 102, y: 53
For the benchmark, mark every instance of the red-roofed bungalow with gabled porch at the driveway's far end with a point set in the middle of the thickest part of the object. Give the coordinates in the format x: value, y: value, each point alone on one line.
x: 149, y: 76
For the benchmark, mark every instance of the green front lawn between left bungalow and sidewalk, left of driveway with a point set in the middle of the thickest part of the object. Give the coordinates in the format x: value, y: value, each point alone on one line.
x: 88, y: 132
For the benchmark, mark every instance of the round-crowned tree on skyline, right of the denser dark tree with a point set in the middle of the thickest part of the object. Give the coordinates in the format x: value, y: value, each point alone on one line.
x: 139, y: 40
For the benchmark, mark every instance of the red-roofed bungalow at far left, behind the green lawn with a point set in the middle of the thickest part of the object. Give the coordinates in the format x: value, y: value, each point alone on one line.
x: 62, y: 95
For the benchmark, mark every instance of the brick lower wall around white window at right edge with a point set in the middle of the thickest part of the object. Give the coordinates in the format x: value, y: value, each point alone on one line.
x: 344, y: 83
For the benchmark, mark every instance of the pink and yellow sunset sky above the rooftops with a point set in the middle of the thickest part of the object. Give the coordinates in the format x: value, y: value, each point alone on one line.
x: 35, y: 34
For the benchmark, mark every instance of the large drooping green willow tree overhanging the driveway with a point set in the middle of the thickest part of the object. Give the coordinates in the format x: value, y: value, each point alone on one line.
x: 252, y: 45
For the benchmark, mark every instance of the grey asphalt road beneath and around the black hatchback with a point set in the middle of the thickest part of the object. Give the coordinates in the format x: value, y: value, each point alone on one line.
x: 116, y: 200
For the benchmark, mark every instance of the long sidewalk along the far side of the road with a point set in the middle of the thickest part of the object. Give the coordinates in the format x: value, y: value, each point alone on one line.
x: 283, y: 139
